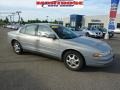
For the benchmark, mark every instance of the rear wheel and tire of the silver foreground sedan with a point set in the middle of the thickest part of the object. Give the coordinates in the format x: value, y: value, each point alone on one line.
x: 17, y: 47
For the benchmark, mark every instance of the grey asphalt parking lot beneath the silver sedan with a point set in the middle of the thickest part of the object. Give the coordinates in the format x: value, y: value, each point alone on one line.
x: 37, y: 72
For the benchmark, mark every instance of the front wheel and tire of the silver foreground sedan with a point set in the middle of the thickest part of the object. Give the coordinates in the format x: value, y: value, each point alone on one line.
x: 73, y: 60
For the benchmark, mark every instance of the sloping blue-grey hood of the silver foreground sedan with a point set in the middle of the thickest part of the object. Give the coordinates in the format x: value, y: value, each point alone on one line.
x: 94, y: 43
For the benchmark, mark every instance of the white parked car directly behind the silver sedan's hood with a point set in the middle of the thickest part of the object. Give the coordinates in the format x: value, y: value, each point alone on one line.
x: 92, y: 32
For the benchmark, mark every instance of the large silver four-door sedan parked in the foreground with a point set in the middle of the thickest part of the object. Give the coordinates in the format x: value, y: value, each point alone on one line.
x: 58, y: 41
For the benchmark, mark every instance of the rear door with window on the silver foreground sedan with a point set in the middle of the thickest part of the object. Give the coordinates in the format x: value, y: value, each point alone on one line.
x: 28, y: 37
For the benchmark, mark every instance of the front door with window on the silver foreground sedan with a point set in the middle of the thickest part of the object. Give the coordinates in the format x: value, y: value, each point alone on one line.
x: 47, y: 45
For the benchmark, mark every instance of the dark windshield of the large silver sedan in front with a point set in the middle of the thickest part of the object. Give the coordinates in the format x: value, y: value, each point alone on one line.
x: 63, y: 32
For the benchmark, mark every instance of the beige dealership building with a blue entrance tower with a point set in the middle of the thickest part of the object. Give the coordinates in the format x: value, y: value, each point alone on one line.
x: 88, y: 21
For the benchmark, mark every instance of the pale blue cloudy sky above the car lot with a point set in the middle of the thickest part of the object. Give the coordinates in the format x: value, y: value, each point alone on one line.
x: 30, y: 11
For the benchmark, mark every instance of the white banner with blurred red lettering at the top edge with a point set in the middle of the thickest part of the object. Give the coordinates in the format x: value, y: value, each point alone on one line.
x: 59, y: 3
